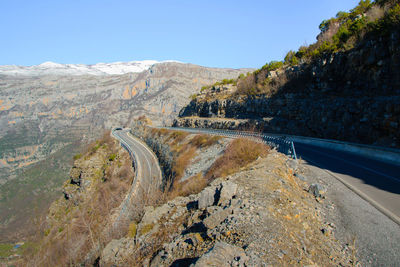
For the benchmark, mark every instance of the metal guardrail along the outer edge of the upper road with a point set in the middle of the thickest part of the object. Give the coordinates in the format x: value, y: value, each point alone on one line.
x: 280, y: 144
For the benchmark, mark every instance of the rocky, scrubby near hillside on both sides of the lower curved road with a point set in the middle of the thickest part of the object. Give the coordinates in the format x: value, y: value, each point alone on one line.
x: 262, y: 213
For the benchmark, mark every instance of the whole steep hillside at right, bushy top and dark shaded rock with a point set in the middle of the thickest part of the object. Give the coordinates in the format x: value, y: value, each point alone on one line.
x: 345, y: 86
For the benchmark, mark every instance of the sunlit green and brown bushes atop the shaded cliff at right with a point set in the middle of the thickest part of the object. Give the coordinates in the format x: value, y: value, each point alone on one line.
x: 338, y: 34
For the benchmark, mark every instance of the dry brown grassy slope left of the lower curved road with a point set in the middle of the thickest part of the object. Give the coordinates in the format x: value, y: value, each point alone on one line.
x: 75, y: 227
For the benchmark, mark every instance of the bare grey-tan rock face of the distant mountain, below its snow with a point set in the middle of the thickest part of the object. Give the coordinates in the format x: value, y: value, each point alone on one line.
x: 46, y: 113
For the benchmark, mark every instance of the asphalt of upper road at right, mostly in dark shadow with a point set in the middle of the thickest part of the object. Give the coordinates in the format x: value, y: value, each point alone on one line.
x: 378, y: 181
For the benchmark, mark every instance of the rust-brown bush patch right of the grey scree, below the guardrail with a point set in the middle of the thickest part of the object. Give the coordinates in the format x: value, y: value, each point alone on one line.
x: 239, y: 153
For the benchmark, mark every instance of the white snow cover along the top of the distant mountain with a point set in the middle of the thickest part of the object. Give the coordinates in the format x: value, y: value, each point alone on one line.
x: 100, y: 69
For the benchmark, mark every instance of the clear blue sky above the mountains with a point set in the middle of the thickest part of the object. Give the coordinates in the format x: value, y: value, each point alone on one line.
x: 218, y: 33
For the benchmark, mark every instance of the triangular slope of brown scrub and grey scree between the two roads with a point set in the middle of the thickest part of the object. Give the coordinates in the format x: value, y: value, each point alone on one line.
x: 224, y: 158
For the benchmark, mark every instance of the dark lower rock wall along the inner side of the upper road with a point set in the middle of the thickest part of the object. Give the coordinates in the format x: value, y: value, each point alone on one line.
x: 364, y: 120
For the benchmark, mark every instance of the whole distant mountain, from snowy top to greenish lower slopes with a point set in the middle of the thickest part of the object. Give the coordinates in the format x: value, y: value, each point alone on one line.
x: 45, y: 117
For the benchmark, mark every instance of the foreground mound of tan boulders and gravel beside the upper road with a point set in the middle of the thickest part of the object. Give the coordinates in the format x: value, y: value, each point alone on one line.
x: 261, y: 215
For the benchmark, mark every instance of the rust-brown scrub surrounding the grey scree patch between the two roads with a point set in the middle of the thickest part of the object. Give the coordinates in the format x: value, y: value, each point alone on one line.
x: 185, y: 147
